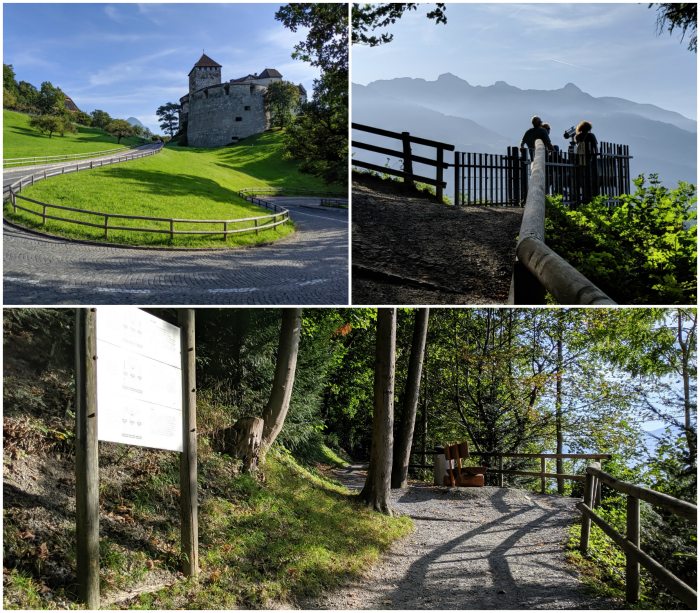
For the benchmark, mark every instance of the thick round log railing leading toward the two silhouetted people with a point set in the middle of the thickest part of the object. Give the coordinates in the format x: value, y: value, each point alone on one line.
x: 538, y: 269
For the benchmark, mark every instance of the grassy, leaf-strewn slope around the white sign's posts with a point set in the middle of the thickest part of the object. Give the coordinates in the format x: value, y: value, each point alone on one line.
x: 264, y: 541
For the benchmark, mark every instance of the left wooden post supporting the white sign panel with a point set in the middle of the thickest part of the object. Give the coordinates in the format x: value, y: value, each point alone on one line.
x: 87, y: 528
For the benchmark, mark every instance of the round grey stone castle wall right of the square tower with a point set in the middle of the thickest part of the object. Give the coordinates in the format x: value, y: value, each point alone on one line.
x: 216, y: 118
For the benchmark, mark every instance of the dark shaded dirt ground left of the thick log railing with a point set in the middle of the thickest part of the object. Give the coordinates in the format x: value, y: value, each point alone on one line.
x: 407, y: 249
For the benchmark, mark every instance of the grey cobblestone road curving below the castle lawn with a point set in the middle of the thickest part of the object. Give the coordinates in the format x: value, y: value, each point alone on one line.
x: 311, y: 267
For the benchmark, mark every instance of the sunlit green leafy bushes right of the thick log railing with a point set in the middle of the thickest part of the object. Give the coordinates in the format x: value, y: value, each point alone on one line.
x: 643, y: 251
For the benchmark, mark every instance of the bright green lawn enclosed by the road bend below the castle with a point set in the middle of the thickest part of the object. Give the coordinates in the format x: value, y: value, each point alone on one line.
x: 180, y: 182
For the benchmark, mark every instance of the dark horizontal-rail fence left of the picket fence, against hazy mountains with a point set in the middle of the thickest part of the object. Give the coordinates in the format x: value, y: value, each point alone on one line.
x: 407, y: 156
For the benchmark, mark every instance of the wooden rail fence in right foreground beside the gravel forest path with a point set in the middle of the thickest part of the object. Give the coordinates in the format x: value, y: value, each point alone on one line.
x: 630, y: 543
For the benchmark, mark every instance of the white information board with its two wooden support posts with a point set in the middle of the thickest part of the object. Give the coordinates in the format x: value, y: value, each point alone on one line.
x: 141, y: 392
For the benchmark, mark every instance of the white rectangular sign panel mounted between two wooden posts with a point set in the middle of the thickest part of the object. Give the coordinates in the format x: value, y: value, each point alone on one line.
x: 139, y: 379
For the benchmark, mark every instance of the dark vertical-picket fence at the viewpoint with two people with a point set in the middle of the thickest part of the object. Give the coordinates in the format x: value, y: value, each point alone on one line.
x: 492, y: 179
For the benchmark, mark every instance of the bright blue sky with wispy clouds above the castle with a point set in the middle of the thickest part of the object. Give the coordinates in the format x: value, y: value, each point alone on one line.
x: 128, y: 59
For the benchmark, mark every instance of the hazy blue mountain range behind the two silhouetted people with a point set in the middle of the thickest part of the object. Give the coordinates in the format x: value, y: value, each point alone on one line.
x: 489, y: 119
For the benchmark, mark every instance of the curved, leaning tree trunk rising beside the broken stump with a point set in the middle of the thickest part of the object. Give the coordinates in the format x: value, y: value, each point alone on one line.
x: 278, y: 404
